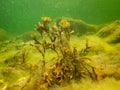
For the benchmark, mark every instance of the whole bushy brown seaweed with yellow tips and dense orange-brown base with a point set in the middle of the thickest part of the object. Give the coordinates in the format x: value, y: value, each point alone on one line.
x: 70, y: 64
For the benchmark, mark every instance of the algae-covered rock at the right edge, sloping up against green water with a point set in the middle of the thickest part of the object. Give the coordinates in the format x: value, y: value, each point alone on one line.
x: 111, y: 32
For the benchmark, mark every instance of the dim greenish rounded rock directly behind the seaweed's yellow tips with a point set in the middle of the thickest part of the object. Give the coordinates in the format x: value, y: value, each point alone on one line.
x: 80, y: 27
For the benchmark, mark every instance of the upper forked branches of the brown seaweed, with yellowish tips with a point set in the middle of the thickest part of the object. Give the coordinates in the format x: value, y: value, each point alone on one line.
x: 59, y: 37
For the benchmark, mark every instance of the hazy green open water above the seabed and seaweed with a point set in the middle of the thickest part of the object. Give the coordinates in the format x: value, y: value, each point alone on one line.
x: 18, y: 16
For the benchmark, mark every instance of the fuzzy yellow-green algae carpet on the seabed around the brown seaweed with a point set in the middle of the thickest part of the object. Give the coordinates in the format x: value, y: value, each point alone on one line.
x: 103, y: 55
